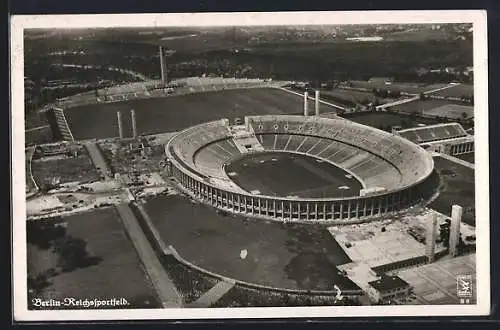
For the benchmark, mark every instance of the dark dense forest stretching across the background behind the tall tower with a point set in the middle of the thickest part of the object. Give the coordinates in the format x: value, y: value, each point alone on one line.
x: 314, y: 61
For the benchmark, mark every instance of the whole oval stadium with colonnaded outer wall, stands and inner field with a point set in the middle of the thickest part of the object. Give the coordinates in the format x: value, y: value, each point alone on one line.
x: 335, y: 170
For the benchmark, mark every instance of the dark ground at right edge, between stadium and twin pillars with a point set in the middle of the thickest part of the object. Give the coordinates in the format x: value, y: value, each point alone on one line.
x: 457, y: 187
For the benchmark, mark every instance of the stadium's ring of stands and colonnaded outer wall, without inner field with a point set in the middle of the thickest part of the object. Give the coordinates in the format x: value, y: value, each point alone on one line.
x: 394, y: 172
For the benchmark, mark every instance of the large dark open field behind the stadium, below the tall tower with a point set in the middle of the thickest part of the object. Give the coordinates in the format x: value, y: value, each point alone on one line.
x: 175, y: 113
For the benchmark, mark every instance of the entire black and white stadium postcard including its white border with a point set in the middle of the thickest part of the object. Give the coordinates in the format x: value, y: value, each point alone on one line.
x: 242, y: 165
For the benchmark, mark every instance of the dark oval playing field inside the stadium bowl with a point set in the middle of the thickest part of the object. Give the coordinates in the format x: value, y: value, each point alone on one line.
x: 286, y: 174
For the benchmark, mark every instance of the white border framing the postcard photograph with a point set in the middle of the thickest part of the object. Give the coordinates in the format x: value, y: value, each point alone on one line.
x: 477, y: 17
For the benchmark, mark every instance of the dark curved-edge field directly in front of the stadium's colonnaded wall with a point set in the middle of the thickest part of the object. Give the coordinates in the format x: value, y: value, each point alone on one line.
x: 281, y: 255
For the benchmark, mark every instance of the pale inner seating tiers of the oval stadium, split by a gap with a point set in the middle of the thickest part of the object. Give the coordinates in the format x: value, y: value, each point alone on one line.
x: 377, y: 158
